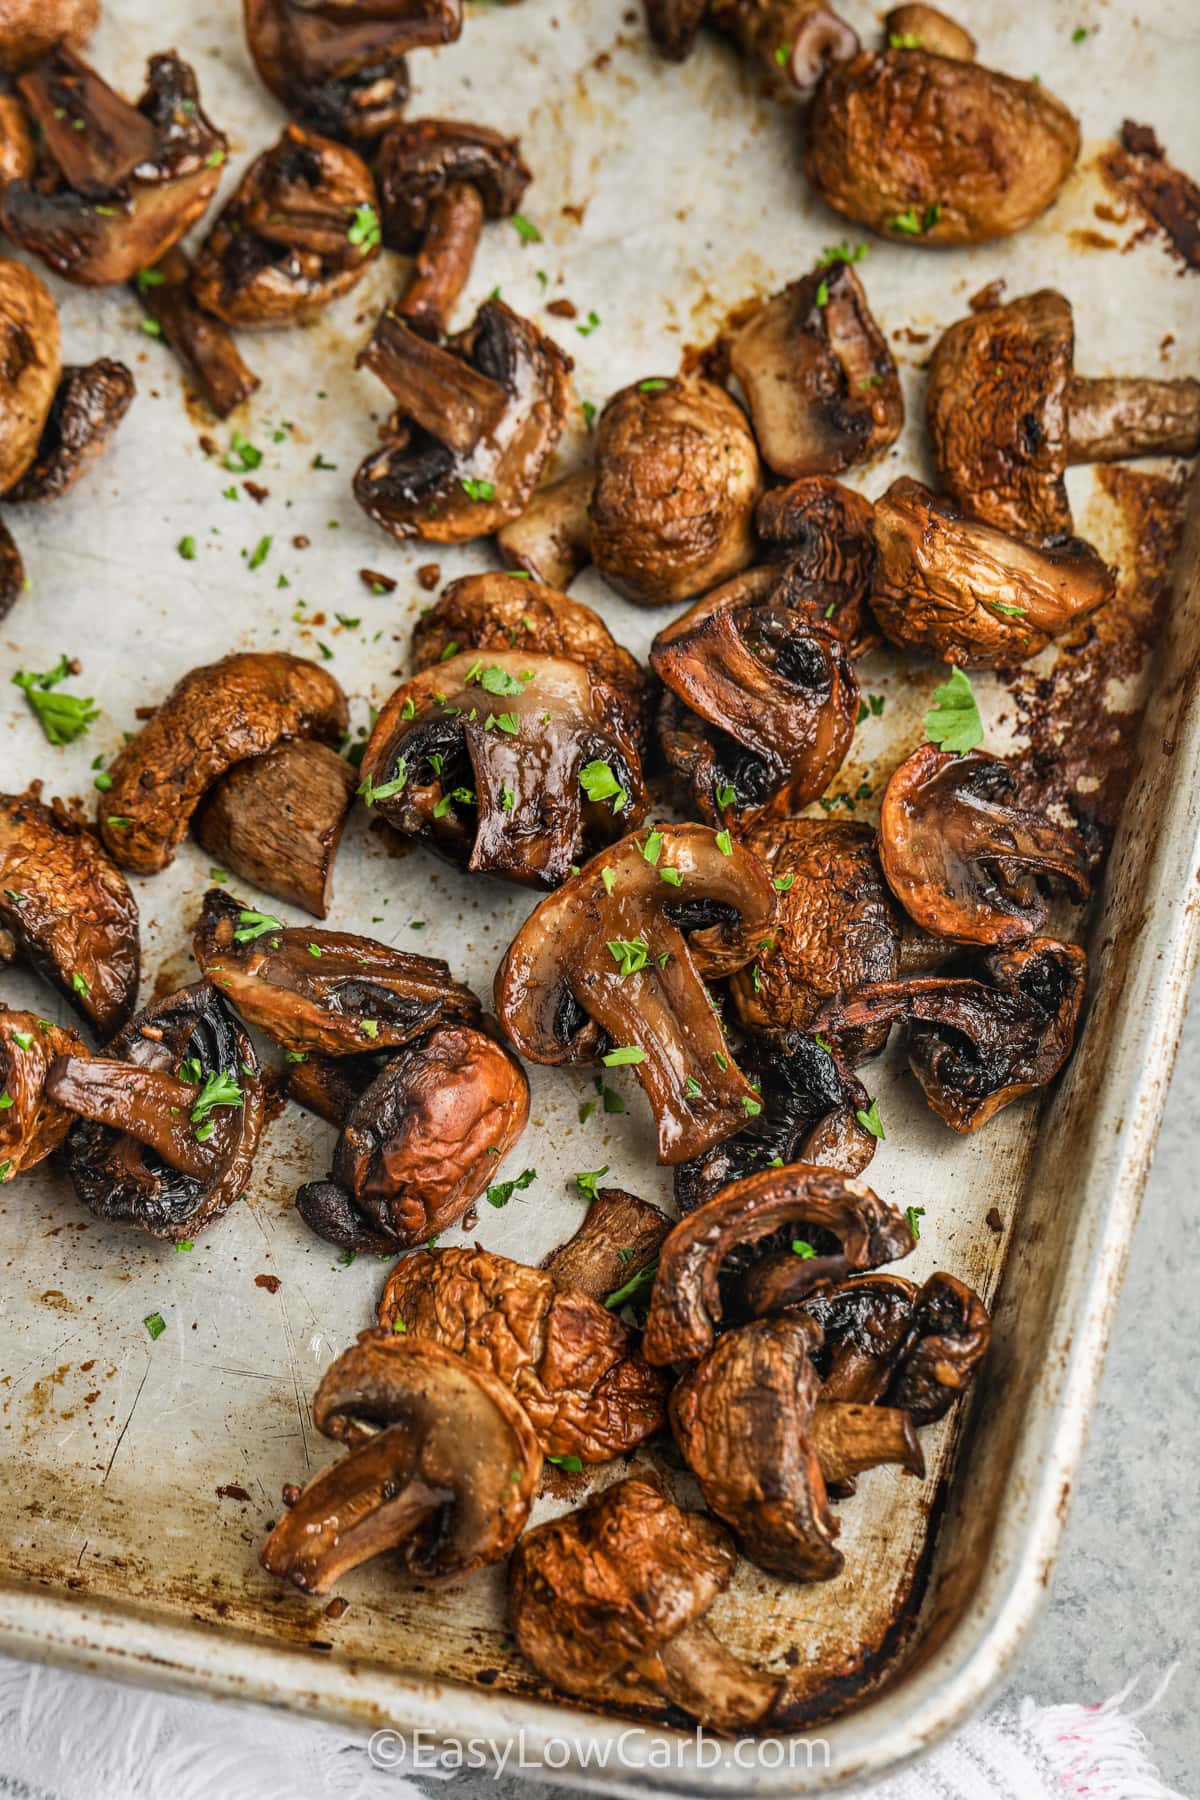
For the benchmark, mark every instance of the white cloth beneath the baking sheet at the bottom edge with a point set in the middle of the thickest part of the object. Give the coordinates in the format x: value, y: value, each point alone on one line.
x: 76, y: 1738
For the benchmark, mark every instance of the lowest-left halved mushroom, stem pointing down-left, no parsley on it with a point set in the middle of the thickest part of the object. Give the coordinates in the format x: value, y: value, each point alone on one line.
x: 442, y: 1468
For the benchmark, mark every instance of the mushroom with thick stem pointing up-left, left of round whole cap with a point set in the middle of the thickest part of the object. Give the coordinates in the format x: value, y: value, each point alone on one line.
x: 476, y: 424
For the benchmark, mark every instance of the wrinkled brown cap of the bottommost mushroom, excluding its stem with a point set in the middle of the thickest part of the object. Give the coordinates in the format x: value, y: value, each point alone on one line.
x: 600, y: 1588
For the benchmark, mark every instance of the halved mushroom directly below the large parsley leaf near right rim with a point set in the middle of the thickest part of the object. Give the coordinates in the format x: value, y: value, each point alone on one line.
x: 962, y: 859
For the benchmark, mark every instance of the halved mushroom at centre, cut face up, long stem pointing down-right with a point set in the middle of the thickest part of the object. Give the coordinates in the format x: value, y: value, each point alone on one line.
x: 613, y: 971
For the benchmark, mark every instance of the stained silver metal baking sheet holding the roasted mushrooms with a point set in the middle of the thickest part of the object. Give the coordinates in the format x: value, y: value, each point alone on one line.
x: 138, y: 1477
